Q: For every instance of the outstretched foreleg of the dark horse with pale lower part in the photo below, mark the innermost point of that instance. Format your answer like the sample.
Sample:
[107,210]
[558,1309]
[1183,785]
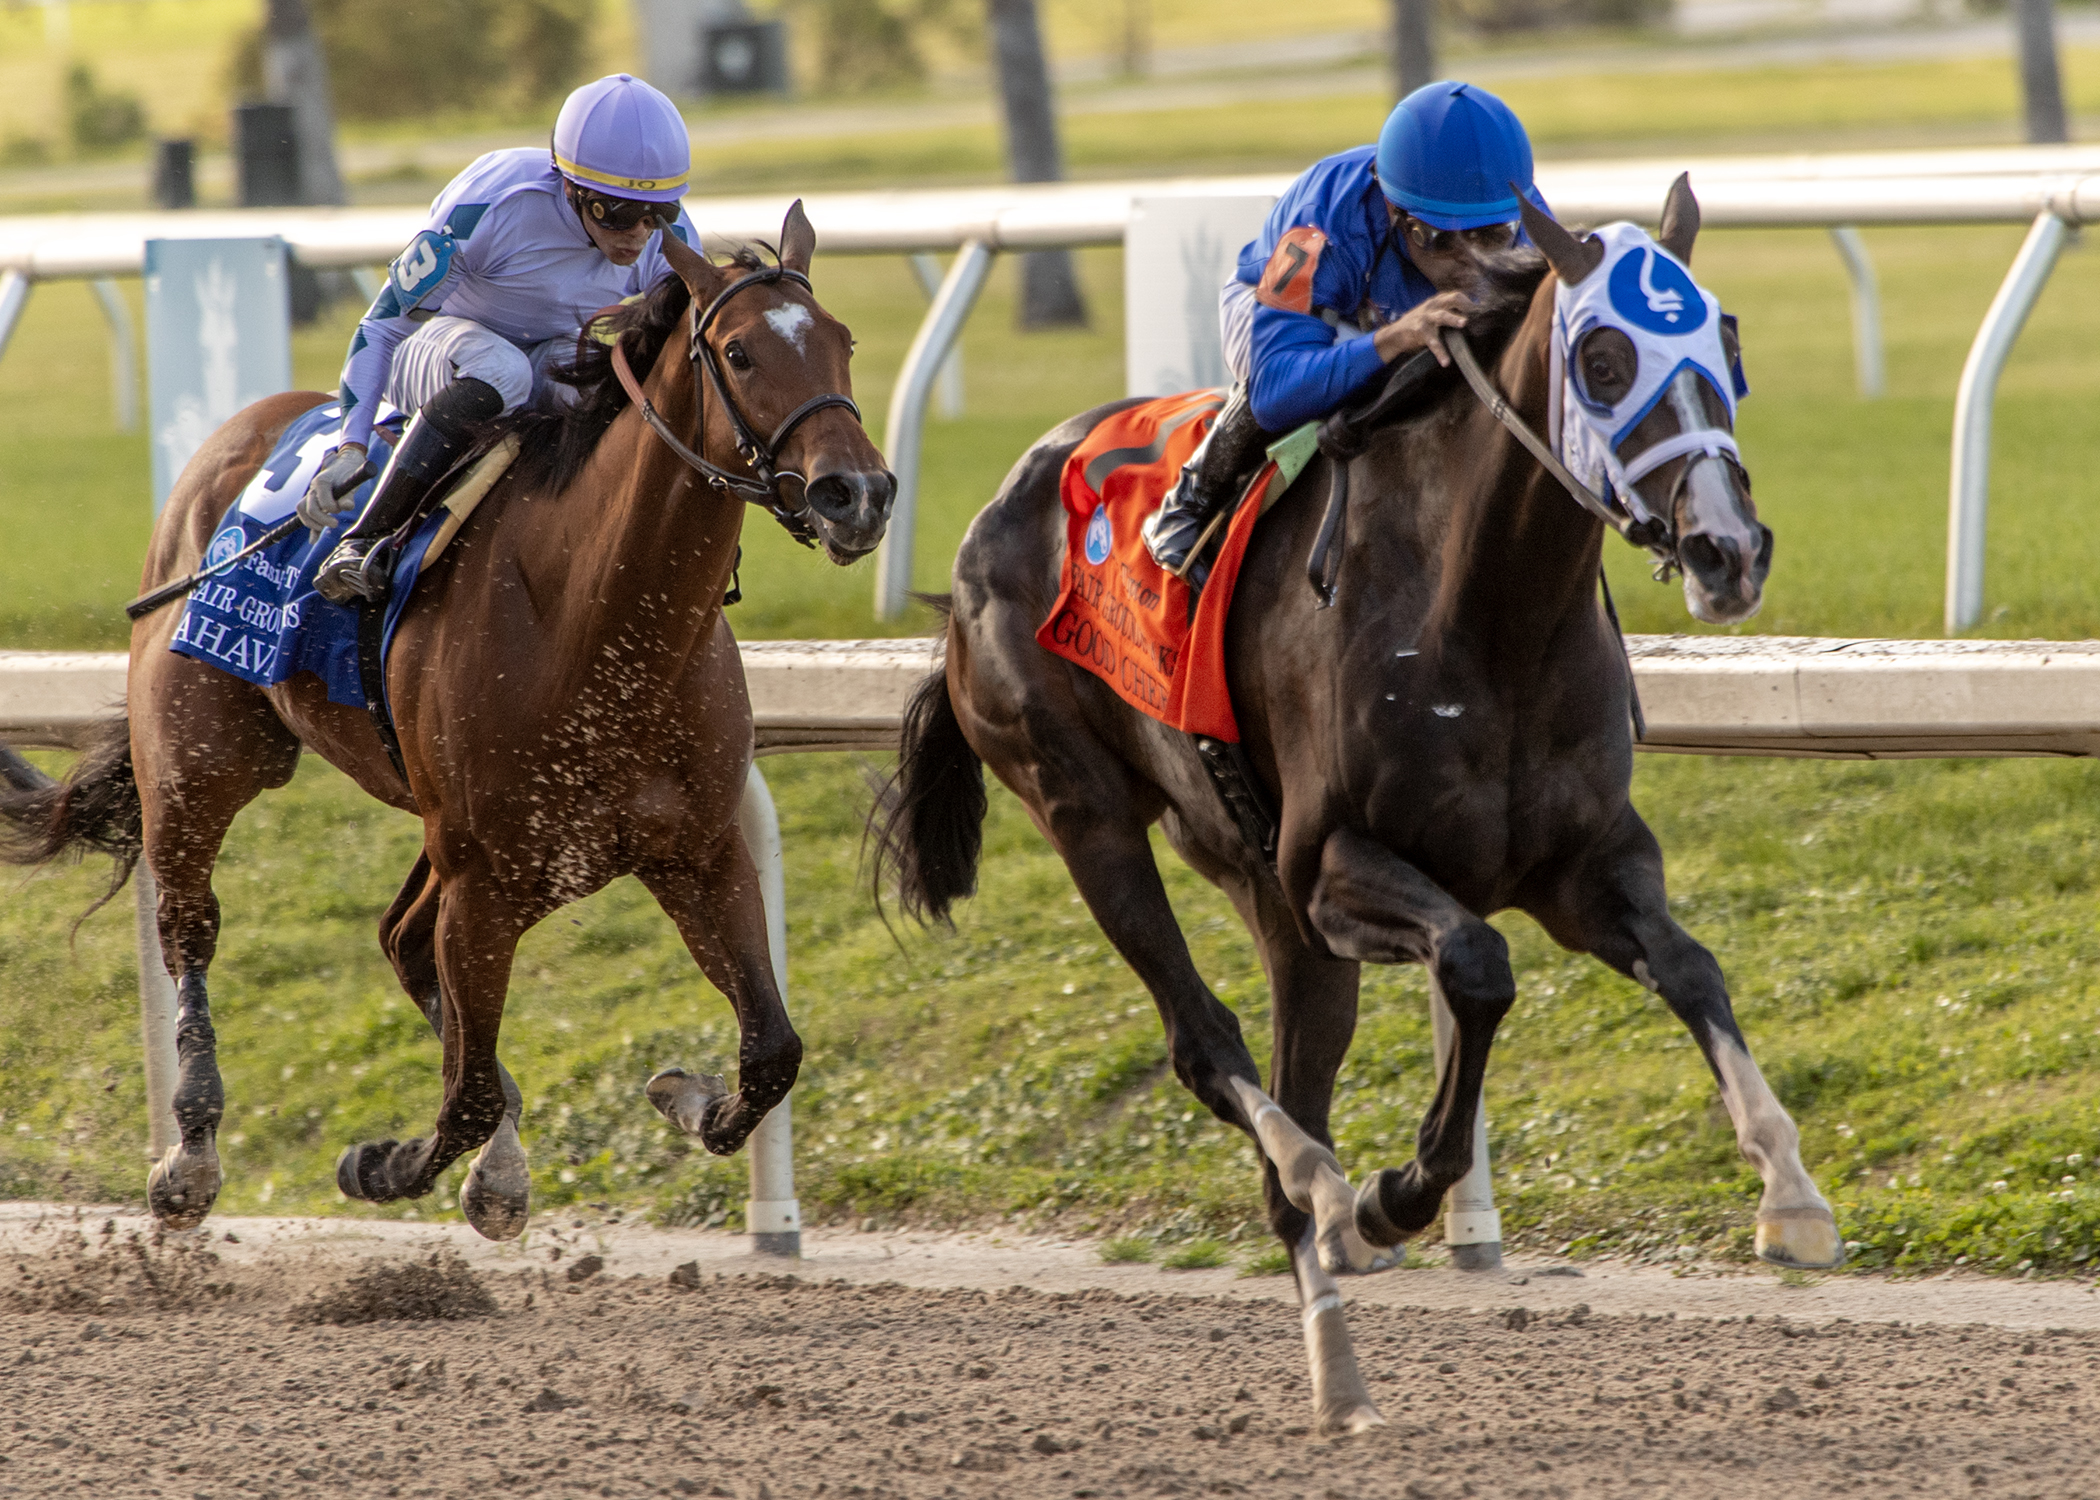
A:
[1614,904]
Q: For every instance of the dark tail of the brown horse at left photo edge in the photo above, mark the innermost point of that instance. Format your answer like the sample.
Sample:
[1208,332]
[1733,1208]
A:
[93,810]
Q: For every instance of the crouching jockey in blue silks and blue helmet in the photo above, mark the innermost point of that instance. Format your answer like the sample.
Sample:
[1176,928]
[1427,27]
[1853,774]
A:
[1362,262]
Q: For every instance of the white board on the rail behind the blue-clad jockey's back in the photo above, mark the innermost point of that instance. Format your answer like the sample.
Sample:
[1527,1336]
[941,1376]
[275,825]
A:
[1177,257]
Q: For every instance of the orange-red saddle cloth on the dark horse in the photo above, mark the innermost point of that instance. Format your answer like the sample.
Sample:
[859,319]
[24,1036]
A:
[1120,614]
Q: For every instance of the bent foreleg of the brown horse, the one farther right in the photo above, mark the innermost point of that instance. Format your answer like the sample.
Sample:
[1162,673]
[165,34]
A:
[723,921]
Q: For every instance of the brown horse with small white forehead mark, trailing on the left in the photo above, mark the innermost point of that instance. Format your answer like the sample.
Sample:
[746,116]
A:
[568,699]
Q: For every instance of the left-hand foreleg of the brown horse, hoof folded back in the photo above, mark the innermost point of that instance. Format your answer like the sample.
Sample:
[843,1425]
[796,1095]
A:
[476,942]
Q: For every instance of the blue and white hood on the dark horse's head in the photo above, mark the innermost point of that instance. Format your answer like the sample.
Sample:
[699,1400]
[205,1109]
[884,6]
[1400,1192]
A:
[1650,295]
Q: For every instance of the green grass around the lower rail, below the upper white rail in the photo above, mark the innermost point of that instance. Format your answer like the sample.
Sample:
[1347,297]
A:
[1910,944]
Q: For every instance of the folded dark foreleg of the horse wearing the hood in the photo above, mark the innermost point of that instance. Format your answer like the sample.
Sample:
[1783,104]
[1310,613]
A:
[1372,907]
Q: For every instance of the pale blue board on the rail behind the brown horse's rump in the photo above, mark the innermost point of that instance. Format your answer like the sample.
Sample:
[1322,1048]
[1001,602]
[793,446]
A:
[217,337]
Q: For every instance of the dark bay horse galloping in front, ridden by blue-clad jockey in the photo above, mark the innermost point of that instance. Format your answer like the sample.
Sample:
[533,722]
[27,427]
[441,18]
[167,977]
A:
[1452,738]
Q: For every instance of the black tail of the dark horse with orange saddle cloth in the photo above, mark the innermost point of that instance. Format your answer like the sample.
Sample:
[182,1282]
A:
[929,820]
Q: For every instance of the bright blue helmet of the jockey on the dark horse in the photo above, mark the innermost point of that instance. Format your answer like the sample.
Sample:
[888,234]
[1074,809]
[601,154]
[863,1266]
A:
[1450,152]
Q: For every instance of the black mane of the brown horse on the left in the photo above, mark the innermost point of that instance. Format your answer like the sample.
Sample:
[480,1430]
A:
[555,446]
